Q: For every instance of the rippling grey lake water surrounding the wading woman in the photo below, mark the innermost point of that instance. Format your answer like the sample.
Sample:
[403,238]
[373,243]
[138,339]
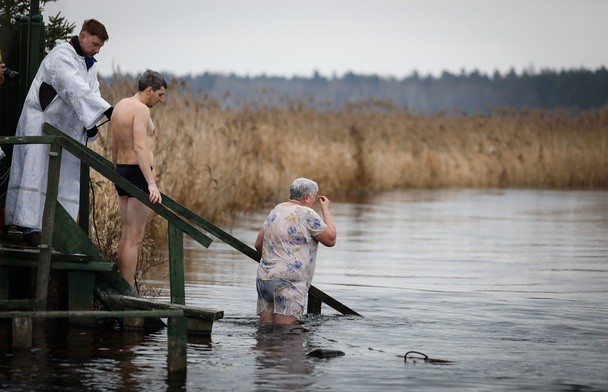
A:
[509,286]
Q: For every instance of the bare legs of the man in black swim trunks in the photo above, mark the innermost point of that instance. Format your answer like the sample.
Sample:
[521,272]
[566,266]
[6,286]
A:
[133,217]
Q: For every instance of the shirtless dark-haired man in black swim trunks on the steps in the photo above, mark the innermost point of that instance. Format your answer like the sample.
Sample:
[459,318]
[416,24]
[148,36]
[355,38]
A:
[132,132]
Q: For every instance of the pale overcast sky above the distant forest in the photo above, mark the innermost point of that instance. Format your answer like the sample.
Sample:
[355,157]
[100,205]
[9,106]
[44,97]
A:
[382,37]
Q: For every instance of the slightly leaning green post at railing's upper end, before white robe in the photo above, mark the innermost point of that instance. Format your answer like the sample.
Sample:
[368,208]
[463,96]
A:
[48,219]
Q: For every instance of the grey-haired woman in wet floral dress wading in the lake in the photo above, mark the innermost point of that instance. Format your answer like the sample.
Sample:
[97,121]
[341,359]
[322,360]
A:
[287,245]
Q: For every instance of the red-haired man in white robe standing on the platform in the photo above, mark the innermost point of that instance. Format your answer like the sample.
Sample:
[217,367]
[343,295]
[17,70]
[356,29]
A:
[64,93]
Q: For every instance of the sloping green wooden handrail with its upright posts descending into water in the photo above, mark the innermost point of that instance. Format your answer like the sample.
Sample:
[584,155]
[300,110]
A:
[180,220]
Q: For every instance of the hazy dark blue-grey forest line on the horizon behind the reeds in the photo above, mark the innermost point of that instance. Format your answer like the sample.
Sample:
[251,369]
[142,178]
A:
[572,90]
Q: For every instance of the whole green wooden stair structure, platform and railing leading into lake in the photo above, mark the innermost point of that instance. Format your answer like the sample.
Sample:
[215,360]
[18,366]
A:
[65,246]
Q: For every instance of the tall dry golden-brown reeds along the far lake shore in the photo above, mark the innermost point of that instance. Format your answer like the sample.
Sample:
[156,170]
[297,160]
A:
[217,161]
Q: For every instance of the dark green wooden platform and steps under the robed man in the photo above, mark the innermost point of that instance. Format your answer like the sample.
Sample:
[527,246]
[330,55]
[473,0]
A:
[86,276]
